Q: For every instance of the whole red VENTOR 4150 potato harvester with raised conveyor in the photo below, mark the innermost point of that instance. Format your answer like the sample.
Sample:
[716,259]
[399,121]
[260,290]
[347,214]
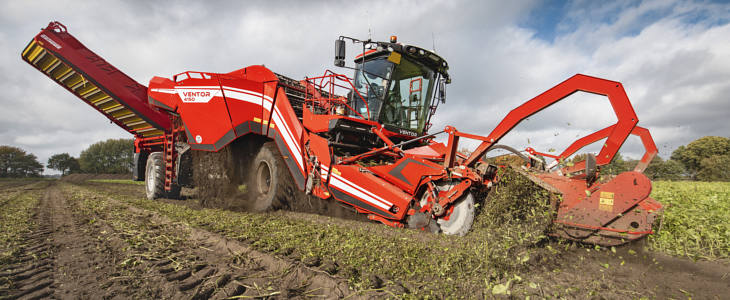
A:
[361,141]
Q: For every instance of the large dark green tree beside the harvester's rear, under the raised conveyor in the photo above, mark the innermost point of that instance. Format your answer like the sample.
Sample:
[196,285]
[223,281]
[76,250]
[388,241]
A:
[113,156]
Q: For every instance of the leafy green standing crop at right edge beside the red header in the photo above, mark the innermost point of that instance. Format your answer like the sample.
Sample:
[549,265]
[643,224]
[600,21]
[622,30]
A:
[695,221]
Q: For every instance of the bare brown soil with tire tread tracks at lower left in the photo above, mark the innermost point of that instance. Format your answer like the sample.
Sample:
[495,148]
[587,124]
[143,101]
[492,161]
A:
[85,246]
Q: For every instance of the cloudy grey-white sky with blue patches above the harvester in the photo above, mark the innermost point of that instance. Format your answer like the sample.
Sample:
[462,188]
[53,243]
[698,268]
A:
[673,58]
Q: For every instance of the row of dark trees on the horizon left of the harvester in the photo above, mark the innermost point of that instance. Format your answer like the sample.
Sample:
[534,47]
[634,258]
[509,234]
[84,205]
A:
[113,156]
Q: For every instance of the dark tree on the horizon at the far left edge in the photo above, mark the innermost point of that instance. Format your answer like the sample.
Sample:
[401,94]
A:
[15,162]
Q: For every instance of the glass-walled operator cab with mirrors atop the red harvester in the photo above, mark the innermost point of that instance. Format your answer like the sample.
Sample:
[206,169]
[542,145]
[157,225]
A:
[396,85]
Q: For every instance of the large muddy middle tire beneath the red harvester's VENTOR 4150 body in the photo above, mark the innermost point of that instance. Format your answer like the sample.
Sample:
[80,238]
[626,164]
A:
[270,185]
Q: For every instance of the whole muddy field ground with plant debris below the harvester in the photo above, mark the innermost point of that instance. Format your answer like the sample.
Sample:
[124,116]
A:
[80,239]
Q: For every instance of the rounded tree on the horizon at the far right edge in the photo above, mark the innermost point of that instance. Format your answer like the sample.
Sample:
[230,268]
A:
[692,155]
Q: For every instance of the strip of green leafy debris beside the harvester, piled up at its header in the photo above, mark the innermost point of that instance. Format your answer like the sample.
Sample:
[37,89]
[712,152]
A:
[501,243]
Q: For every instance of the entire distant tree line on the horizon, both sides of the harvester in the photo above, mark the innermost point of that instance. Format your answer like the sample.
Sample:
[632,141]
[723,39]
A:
[705,159]
